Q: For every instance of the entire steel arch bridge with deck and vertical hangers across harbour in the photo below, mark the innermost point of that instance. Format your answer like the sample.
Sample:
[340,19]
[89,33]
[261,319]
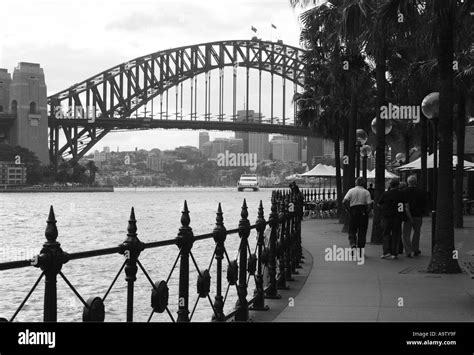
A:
[197,87]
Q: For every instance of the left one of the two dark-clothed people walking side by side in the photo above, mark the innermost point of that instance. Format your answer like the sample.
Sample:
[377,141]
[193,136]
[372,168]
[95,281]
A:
[394,210]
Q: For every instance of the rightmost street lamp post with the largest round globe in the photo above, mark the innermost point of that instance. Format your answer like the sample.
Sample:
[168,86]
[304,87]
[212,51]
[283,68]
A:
[430,108]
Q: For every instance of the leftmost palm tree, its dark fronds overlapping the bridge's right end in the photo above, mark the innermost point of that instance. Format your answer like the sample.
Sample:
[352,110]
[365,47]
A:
[320,105]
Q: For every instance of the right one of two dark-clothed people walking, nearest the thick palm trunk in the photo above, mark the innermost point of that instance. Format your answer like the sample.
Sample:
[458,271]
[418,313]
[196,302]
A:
[417,199]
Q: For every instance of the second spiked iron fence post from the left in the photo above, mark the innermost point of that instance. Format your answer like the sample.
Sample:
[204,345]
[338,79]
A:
[131,249]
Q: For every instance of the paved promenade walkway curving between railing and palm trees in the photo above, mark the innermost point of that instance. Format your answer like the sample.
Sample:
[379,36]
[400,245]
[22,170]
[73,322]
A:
[379,290]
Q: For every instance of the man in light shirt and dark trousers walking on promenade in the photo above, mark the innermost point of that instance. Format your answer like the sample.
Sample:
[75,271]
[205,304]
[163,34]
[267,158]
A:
[358,204]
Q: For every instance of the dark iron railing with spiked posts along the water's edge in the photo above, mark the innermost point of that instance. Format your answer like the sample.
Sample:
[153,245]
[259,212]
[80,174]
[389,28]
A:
[279,252]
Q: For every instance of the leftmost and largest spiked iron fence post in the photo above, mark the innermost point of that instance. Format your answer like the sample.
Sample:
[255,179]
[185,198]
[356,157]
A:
[51,259]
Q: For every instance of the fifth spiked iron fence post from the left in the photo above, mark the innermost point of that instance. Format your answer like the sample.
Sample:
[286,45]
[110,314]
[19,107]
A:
[242,314]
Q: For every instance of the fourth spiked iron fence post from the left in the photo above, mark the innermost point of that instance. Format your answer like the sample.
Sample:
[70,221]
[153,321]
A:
[219,237]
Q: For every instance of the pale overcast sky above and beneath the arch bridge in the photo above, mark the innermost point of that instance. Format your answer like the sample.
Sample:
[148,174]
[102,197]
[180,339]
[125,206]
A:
[74,40]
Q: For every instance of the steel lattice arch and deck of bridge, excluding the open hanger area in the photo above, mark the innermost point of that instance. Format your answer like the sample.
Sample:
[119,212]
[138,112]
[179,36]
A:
[118,92]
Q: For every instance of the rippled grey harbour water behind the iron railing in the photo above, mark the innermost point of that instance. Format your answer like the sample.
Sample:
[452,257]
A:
[88,221]
